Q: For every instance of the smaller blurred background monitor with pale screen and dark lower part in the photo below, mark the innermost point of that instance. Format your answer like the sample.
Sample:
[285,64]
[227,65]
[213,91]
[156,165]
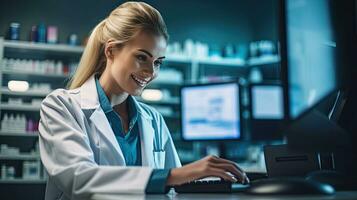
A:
[267,111]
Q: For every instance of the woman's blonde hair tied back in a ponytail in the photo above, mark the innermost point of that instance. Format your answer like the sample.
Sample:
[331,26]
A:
[121,25]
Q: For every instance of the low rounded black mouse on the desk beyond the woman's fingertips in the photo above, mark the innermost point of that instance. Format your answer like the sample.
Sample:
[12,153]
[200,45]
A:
[288,186]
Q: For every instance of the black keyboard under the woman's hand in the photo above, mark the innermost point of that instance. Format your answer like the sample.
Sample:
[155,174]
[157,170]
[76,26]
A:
[206,185]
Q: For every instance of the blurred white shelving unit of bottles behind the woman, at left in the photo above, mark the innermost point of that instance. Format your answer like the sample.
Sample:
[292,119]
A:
[25,141]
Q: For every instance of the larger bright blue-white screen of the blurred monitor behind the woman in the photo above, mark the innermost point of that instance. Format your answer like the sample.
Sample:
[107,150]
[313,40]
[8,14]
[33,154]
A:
[210,112]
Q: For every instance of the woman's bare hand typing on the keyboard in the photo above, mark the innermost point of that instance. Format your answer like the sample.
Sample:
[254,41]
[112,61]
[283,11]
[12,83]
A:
[208,166]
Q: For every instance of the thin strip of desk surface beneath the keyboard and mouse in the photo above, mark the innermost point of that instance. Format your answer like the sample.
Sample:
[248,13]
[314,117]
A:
[238,196]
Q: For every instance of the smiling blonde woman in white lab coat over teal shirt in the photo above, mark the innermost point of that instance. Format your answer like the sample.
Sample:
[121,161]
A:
[95,137]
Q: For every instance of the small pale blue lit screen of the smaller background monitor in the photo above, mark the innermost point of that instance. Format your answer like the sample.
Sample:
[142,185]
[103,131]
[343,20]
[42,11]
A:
[267,102]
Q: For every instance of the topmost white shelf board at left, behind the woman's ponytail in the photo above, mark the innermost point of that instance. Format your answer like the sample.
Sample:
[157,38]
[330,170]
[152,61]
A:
[43,46]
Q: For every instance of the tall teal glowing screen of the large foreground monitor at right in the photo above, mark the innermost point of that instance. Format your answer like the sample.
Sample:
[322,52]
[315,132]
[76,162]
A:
[311,55]
